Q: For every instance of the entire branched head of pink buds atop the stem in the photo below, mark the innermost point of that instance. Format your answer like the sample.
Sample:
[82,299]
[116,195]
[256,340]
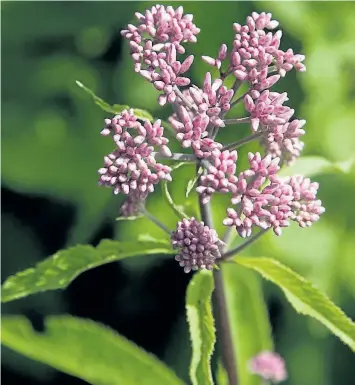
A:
[255,62]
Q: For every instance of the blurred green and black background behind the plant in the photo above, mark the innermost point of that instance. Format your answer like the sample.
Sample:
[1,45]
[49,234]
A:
[51,150]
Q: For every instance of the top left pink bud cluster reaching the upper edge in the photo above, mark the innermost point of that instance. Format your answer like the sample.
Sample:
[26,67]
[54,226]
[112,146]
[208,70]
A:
[155,55]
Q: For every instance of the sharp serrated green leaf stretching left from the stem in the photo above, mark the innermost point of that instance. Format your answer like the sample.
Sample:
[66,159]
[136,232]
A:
[57,271]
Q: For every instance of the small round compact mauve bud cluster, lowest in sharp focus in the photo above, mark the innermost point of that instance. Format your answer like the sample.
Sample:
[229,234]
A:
[199,246]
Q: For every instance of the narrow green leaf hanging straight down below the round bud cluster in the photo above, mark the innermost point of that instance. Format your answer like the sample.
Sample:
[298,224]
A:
[201,325]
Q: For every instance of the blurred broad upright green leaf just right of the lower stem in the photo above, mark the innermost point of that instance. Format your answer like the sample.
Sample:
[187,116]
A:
[248,318]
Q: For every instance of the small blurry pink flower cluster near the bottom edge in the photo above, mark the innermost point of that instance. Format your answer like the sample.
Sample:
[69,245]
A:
[270,366]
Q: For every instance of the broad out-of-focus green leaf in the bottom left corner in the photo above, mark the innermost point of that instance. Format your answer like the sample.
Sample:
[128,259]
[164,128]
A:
[87,350]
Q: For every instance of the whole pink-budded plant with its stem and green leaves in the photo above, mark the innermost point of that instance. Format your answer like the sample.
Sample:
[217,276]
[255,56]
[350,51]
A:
[260,199]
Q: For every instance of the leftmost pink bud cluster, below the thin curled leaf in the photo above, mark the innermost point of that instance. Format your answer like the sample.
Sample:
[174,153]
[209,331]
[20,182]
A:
[131,168]
